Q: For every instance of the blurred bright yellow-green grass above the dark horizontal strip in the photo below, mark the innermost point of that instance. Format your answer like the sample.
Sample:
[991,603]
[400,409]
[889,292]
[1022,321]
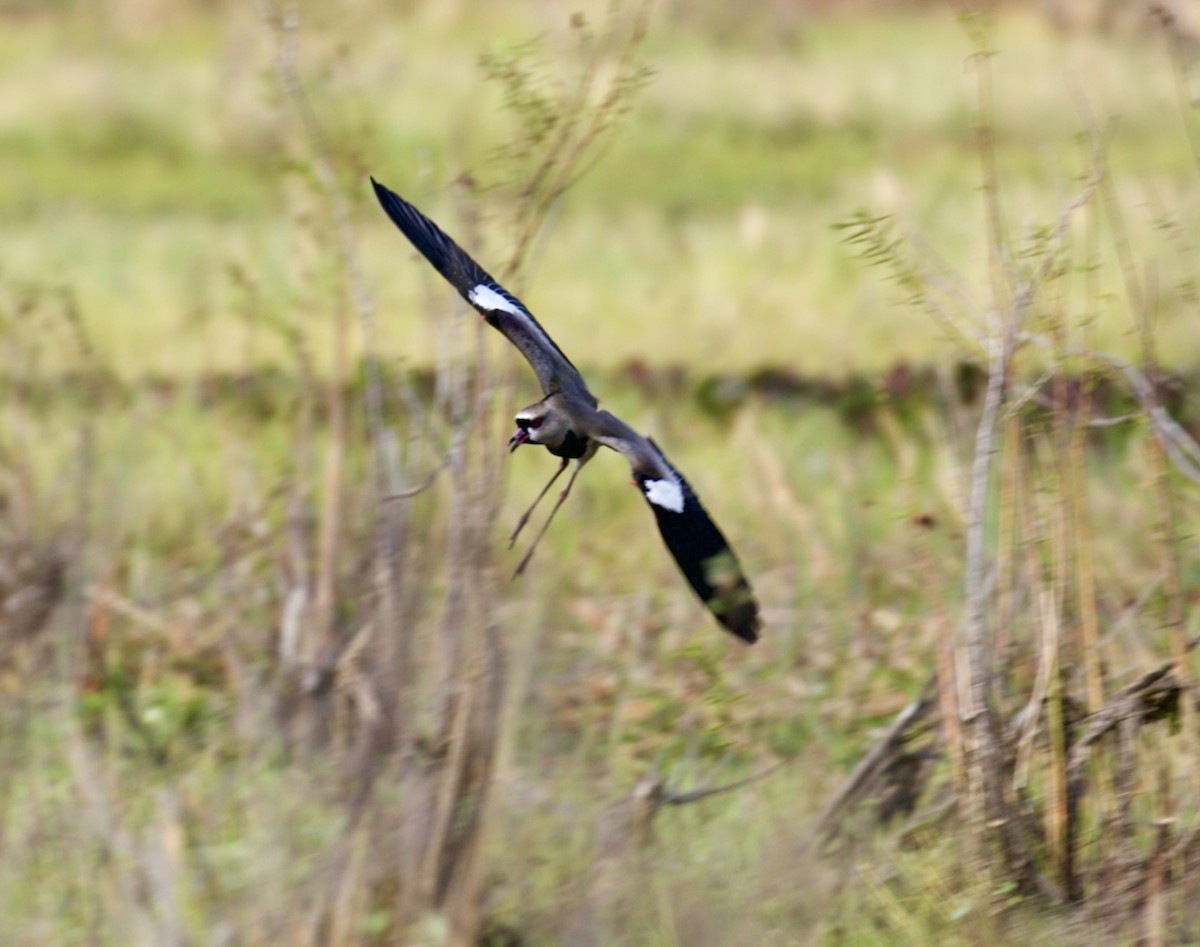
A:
[152,160]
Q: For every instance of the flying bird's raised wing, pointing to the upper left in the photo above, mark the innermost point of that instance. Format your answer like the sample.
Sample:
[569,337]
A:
[494,302]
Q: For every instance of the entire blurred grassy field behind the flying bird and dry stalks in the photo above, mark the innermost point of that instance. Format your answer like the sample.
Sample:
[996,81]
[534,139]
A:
[171,292]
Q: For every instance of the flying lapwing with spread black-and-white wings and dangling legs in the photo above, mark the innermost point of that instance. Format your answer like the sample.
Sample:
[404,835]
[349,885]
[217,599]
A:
[572,427]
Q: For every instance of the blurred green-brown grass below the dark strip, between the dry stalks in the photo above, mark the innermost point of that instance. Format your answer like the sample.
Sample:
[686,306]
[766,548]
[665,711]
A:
[619,657]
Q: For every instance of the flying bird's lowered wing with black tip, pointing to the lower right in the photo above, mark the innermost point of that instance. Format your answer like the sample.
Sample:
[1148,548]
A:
[700,549]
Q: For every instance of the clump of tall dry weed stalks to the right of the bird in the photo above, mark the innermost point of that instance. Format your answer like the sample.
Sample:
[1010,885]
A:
[1064,780]
